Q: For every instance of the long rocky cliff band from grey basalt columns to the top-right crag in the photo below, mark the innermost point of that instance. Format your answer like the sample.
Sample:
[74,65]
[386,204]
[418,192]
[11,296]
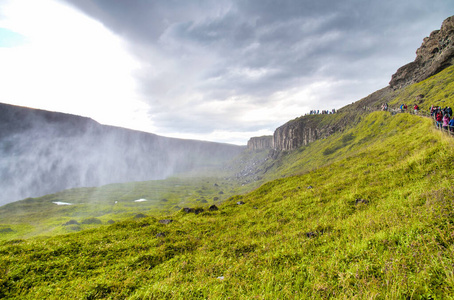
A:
[435,54]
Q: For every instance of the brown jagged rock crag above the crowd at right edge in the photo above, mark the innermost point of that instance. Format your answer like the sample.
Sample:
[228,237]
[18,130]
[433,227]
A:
[435,54]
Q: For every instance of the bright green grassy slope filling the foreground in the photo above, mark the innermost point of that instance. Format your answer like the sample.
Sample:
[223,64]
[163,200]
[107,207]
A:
[372,220]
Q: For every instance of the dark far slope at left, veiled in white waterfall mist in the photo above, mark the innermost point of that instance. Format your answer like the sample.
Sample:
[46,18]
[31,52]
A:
[44,152]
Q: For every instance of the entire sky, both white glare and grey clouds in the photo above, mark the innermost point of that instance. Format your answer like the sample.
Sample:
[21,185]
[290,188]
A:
[220,70]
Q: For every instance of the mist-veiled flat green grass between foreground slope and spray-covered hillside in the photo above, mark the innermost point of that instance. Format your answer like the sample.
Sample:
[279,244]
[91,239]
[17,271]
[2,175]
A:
[115,202]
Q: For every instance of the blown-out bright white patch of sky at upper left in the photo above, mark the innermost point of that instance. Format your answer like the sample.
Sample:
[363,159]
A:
[55,58]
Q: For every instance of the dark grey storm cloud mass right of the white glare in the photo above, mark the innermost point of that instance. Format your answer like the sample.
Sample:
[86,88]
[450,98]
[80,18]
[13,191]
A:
[207,64]
